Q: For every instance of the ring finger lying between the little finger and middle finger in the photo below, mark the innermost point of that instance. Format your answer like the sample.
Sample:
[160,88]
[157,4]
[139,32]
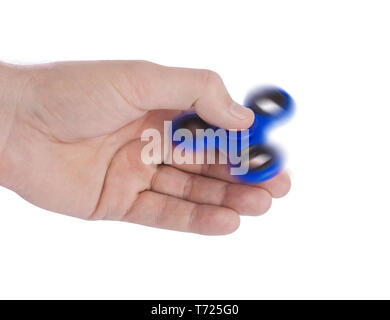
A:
[244,199]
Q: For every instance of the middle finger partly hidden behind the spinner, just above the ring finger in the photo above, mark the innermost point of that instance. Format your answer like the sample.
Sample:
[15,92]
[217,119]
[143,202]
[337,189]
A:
[278,186]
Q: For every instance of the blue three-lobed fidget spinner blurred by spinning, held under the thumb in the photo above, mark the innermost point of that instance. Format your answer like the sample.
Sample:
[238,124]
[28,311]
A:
[270,105]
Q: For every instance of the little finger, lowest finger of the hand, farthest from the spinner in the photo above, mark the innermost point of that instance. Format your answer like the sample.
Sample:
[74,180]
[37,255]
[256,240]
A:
[163,211]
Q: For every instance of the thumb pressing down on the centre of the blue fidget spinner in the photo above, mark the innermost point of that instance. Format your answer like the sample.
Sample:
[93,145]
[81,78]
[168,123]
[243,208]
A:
[160,87]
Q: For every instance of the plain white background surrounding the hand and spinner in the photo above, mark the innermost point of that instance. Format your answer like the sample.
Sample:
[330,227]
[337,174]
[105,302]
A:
[329,238]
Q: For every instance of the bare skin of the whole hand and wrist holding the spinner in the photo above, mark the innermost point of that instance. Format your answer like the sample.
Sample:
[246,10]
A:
[70,143]
